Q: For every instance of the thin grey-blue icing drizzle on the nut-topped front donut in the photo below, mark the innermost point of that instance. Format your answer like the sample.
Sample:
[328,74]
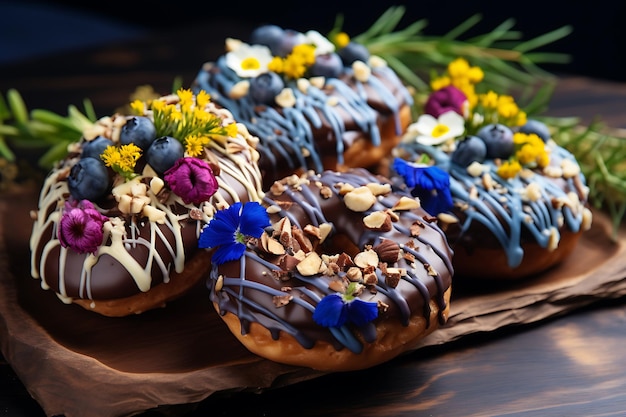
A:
[307,291]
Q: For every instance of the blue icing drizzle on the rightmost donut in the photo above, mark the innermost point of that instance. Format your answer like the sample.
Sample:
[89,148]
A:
[502,209]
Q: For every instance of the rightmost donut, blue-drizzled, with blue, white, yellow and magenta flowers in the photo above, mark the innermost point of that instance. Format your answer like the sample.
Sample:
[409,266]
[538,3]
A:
[512,202]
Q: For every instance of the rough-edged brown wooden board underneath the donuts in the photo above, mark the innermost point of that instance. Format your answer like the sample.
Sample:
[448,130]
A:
[77,363]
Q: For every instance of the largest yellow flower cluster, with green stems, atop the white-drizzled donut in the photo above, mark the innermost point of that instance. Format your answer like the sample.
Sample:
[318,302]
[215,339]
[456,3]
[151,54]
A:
[188,120]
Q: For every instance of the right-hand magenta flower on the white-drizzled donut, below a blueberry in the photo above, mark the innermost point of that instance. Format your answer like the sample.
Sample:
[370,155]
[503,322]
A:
[192,179]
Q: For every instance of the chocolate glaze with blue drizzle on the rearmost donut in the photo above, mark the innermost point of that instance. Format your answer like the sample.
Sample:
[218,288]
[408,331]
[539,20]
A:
[313,134]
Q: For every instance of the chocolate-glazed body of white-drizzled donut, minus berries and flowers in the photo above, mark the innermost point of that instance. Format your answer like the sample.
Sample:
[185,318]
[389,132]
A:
[147,255]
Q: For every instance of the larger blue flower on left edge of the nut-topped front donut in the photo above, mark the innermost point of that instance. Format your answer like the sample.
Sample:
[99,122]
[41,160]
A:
[231,227]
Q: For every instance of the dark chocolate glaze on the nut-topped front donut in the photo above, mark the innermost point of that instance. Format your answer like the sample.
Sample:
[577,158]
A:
[248,287]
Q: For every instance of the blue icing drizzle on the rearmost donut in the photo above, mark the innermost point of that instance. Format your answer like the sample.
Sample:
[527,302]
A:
[283,135]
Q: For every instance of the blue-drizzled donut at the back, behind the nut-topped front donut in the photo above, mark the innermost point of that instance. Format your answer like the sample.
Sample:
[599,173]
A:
[313,105]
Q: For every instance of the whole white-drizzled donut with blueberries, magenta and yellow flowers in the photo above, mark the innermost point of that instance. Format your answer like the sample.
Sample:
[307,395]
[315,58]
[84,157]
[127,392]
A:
[117,222]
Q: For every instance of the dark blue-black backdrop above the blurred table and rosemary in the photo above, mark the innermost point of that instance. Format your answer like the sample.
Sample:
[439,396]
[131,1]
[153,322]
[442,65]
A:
[597,44]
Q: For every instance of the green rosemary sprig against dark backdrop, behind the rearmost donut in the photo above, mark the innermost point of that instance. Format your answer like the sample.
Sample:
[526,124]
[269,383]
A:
[508,61]
